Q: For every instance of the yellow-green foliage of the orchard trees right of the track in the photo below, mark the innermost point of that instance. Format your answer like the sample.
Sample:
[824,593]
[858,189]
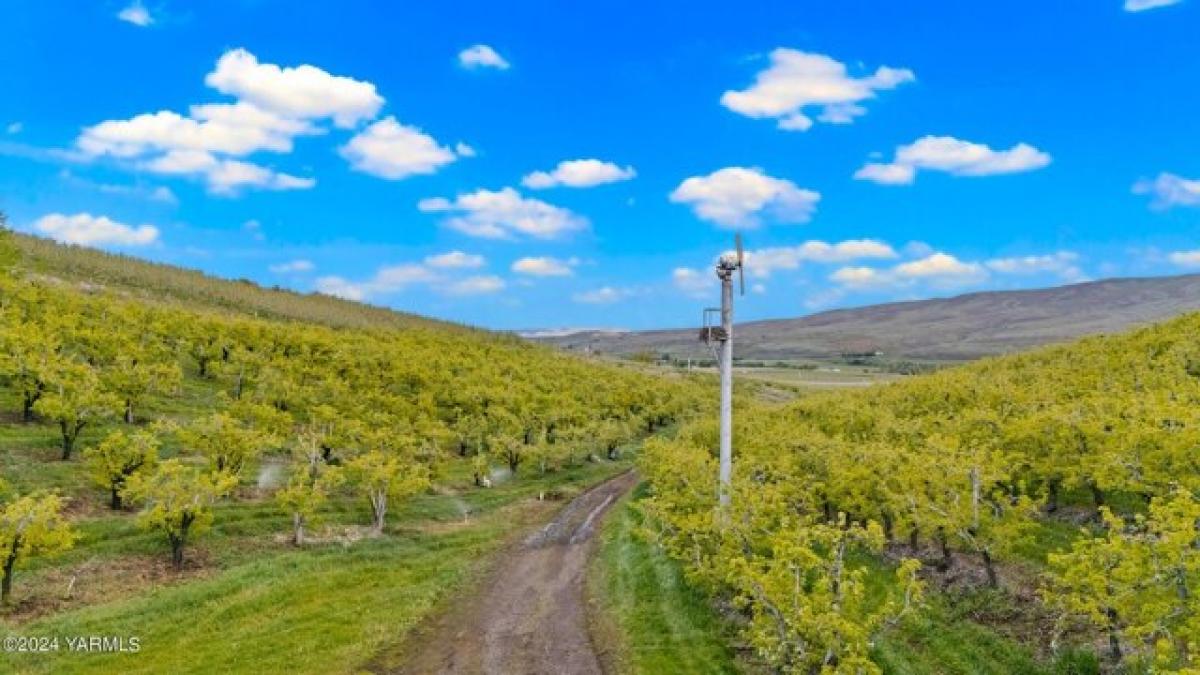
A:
[969,461]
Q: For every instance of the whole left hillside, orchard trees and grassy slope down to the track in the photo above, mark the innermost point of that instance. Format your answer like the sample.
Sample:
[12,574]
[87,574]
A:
[189,464]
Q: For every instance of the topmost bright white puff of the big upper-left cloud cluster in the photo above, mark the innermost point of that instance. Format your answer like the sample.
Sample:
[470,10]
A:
[301,93]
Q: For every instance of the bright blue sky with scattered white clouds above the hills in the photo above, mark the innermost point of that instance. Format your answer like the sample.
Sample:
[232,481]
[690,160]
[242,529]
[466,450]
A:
[550,165]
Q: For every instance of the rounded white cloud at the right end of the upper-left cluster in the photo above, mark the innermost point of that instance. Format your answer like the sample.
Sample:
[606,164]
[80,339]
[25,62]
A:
[392,151]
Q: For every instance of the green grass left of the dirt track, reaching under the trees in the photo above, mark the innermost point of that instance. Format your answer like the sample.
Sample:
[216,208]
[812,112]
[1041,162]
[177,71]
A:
[259,605]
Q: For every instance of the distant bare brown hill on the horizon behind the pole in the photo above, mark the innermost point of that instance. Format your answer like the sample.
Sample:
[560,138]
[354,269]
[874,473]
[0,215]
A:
[964,327]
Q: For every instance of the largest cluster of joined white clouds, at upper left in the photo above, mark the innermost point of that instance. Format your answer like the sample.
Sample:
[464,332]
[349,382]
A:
[274,106]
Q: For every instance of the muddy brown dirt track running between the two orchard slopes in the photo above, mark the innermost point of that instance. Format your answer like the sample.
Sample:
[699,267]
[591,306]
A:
[530,617]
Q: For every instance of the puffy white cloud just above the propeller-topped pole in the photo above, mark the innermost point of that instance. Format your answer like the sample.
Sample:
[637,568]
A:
[739,196]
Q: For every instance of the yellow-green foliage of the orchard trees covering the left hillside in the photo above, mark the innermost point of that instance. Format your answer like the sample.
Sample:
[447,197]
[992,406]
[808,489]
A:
[387,399]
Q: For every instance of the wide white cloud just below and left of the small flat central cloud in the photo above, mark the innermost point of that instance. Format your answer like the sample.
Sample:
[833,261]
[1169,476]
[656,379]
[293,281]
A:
[503,214]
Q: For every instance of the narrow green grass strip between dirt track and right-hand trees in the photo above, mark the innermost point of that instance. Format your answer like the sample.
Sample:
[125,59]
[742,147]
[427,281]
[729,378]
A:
[657,623]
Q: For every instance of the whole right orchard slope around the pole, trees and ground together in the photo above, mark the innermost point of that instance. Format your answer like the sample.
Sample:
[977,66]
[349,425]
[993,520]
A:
[1027,513]
